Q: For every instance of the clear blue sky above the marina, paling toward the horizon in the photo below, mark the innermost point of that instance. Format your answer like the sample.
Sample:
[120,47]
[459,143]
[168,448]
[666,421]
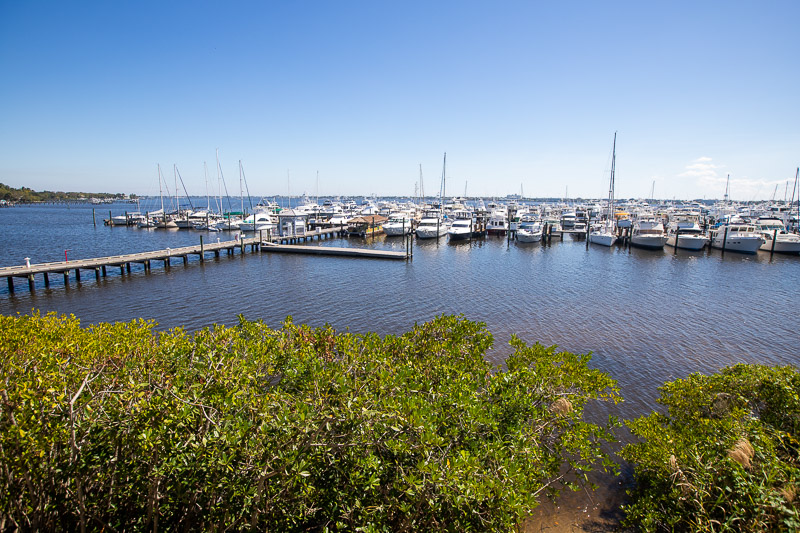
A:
[521,95]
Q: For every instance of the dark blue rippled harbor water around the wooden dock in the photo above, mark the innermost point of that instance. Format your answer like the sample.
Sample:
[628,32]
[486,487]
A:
[647,316]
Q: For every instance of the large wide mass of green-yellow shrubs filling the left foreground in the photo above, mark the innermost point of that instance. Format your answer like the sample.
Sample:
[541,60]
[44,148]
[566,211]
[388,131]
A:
[122,427]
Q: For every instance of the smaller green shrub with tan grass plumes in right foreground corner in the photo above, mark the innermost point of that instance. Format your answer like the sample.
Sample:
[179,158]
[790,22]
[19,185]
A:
[724,457]
